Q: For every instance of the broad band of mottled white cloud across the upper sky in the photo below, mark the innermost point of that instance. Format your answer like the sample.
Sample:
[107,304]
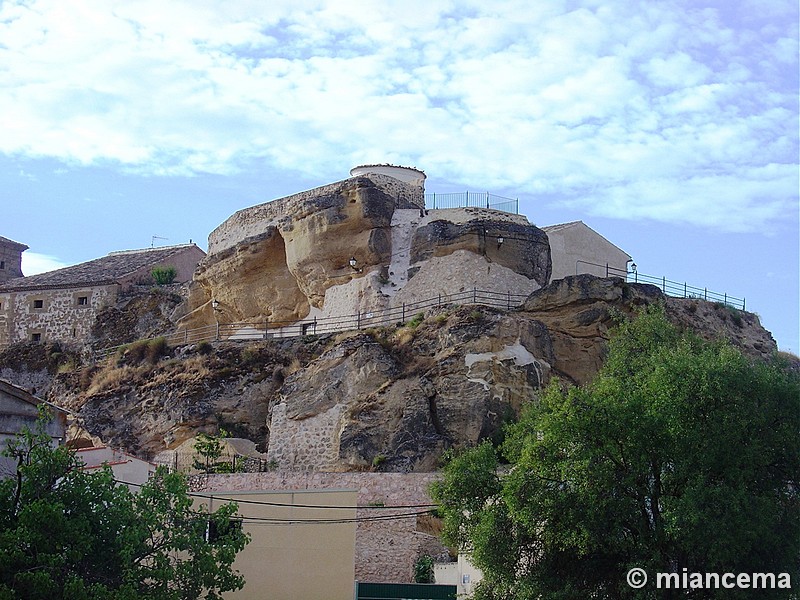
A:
[675,110]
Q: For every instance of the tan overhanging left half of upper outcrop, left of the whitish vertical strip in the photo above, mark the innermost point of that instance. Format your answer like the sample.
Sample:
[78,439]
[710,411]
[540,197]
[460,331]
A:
[291,257]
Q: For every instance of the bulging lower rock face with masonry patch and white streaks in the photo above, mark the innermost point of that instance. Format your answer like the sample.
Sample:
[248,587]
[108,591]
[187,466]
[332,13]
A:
[398,404]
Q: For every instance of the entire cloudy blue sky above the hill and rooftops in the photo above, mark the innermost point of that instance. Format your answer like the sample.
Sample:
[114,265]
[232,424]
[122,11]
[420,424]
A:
[671,127]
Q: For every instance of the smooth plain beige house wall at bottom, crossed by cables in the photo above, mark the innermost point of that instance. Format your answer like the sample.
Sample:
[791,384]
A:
[295,551]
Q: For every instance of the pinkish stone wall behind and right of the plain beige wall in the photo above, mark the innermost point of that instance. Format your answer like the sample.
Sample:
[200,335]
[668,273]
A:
[386,550]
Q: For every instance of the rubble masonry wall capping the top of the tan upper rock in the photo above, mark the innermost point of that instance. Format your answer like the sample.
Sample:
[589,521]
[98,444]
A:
[256,220]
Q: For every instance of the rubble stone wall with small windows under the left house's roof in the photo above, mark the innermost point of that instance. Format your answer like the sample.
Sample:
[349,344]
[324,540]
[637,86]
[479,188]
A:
[56,314]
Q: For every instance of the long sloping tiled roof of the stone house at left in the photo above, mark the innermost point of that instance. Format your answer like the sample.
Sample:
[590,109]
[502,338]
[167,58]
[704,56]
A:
[99,271]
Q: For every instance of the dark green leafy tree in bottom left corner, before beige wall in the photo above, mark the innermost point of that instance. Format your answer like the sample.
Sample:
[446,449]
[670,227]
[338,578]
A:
[69,533]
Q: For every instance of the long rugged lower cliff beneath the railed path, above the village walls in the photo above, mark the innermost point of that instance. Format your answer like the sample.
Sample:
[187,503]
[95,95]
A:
[382,399]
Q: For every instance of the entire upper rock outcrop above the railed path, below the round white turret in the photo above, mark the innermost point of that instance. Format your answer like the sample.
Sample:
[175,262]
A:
[290,259]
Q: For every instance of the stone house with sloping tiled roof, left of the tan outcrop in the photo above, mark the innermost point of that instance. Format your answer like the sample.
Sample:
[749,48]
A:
[62,305]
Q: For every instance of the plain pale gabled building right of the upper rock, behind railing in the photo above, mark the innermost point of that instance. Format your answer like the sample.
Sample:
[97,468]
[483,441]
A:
[576,248]
